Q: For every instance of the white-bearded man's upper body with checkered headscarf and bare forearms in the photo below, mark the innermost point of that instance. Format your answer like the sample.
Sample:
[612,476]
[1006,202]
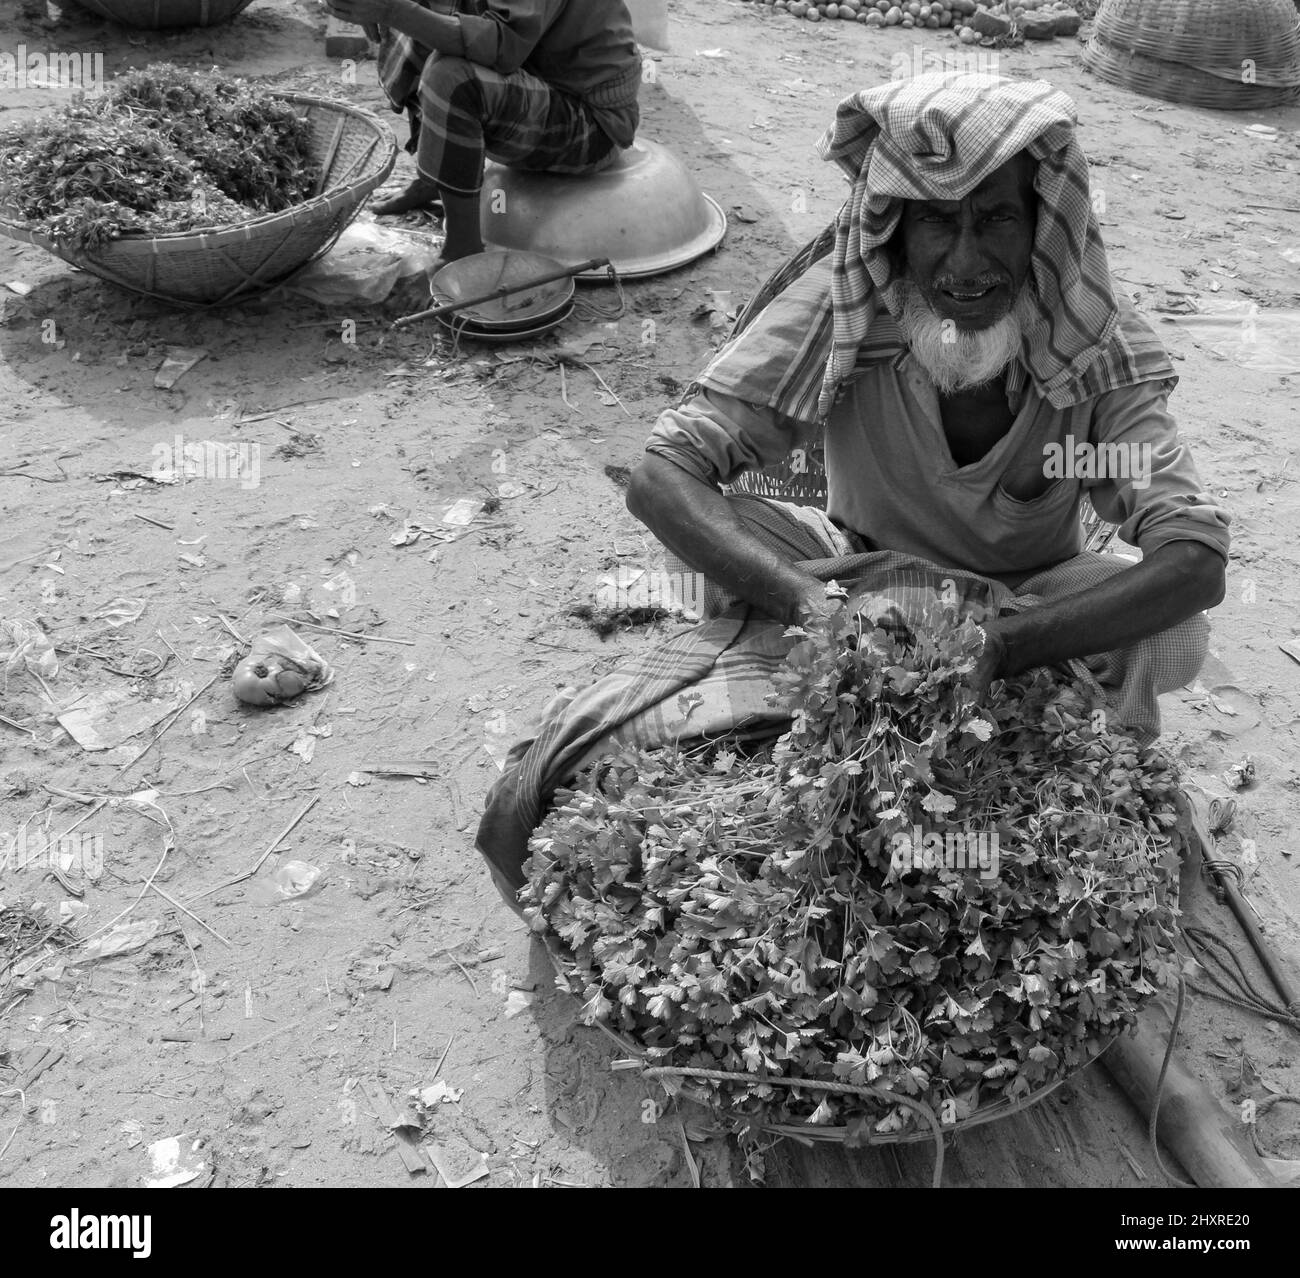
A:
[974,379]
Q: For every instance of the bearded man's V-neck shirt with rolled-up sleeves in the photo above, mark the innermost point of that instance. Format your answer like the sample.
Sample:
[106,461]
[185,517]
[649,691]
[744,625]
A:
[892,480]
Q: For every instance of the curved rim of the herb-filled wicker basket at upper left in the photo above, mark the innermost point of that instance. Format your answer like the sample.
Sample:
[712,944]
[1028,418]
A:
[138,245]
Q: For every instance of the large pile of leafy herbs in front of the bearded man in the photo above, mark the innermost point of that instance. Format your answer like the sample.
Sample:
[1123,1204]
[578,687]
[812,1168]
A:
[752,913]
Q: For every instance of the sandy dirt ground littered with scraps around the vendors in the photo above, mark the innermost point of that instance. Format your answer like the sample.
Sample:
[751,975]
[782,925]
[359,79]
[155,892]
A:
[404,968]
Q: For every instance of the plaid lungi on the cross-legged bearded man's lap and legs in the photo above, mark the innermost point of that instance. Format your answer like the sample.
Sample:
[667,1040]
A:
[714,679]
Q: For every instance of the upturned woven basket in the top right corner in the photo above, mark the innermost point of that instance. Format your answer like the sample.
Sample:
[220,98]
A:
[1207,33]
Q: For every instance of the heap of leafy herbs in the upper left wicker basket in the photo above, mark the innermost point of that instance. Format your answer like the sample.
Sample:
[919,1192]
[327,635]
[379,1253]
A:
[163,150]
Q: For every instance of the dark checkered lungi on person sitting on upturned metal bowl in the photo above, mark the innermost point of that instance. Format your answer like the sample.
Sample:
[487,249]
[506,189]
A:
[467,112]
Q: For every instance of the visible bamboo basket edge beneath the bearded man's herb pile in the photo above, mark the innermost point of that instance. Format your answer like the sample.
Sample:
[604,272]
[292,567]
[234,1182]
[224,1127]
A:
[686,1082]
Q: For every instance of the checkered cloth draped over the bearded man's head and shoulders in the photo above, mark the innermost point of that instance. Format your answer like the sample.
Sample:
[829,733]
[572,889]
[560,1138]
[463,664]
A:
[937,137]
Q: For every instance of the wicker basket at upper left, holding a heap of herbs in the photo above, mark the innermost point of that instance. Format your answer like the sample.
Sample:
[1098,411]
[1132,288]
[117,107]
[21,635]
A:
[202,270]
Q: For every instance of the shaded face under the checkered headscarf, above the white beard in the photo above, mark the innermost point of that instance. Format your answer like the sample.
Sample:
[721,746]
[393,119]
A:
[970,258]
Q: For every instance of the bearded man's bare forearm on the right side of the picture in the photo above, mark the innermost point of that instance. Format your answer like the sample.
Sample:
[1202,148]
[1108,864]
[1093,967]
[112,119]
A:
[1172,584]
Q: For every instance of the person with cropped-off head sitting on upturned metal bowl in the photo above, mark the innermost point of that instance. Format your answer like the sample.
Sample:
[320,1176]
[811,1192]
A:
[545,85]
